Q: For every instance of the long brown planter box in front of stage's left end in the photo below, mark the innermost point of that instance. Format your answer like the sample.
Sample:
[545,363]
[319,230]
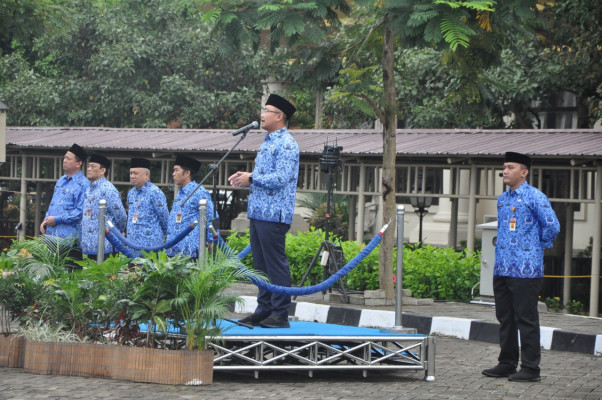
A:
[171,367]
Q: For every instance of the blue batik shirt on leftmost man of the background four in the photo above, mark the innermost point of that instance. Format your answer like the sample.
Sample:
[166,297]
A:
[66,205]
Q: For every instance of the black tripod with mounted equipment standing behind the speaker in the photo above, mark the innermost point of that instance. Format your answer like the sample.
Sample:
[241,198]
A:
[331,256]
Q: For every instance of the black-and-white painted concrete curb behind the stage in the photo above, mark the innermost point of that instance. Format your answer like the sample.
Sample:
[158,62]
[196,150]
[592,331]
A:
[462,328]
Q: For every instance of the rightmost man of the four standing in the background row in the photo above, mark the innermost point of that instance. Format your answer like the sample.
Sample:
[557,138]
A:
[184,175]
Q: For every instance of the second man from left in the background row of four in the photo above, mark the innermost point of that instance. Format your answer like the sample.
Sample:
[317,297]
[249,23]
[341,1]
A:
[100,189]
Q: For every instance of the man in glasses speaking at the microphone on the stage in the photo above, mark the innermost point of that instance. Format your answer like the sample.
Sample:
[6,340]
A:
[271,205]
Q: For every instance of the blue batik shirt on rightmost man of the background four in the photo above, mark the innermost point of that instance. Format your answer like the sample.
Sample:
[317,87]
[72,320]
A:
[181,217]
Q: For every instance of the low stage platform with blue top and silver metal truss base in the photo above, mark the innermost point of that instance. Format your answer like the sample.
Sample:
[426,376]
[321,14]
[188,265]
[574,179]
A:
[310,346]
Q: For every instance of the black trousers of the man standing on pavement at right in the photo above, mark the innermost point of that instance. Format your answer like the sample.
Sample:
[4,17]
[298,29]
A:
[516,310]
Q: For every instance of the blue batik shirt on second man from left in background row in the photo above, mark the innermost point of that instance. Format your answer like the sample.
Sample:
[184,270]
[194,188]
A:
[99,190]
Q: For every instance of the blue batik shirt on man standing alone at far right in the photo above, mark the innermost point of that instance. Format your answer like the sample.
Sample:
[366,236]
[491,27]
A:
[526,225]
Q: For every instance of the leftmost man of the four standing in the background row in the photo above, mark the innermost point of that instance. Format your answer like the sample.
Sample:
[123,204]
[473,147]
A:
[64,215]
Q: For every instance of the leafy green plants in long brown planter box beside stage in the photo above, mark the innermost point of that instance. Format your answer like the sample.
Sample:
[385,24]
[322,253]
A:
[88,322]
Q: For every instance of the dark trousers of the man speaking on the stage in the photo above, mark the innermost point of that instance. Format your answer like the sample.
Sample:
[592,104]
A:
[268,241]
